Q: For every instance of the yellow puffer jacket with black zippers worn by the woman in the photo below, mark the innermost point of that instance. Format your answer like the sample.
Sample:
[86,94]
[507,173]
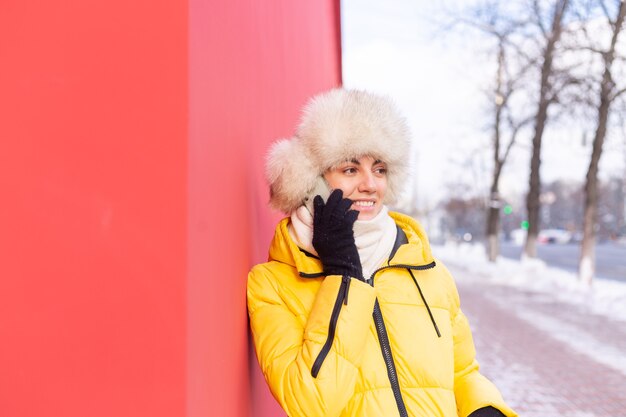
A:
[341,347]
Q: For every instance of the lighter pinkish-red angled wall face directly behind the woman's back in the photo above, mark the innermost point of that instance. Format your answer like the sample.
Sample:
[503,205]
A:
[252,66]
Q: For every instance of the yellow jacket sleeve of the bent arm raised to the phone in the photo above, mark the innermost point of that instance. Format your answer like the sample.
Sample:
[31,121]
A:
[288,346]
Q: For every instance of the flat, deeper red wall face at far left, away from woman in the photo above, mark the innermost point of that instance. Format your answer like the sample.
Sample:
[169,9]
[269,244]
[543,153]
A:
[93,216]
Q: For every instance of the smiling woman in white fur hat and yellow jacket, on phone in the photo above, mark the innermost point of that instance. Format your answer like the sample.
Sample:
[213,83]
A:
[352,315]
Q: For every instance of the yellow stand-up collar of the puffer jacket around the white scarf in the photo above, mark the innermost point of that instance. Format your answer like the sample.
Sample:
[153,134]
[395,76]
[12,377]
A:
[411,247]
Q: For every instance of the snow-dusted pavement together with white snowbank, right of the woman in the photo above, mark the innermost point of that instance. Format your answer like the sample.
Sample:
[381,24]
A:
[552,345]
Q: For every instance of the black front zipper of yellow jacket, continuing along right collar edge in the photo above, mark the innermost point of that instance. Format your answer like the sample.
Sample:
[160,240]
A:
[383,339]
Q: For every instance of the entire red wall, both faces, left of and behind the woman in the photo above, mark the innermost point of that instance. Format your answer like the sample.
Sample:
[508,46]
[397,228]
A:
[132,136]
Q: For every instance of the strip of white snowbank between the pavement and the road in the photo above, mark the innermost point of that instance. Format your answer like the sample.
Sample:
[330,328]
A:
[604,297]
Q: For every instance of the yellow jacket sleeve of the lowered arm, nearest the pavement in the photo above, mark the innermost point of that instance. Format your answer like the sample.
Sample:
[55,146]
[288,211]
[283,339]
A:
[472,390]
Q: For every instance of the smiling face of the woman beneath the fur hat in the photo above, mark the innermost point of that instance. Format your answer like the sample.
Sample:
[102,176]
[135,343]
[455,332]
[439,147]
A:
[364,181]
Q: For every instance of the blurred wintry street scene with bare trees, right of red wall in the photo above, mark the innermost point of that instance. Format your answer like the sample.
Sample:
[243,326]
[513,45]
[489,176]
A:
[518,112]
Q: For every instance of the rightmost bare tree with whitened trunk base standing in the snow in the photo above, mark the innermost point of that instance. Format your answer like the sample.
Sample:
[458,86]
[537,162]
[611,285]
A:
[608,93]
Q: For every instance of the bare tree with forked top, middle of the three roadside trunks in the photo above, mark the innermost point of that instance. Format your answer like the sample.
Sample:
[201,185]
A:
[547,96]
